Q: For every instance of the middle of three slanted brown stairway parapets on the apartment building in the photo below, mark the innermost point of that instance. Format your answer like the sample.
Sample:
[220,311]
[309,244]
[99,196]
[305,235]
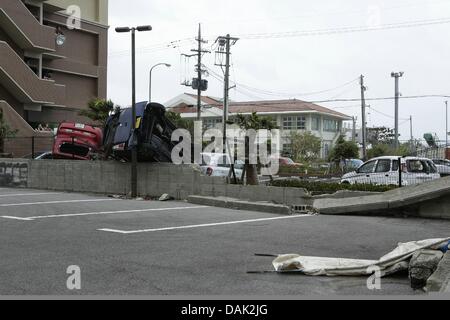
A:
[24,84]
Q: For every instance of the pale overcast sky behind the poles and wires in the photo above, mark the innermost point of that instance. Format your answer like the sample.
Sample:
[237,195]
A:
[288,67]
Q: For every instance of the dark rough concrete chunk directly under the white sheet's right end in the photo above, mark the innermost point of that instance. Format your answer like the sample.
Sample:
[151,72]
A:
[422,265]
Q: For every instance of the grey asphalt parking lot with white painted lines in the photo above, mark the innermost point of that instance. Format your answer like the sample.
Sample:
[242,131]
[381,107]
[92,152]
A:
[126,247]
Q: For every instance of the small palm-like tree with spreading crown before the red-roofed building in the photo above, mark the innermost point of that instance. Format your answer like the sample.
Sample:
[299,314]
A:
[253,122]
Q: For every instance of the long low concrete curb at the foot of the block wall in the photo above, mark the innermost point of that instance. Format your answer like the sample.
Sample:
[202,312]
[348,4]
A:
[231,203]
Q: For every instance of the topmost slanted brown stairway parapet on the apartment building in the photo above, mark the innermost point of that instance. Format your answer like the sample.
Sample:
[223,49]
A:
[20,24]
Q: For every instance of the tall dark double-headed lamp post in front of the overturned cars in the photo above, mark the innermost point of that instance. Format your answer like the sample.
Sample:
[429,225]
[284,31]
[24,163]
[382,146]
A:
[133,101]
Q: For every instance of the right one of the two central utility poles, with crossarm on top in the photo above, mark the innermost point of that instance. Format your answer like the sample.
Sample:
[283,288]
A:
[225,44]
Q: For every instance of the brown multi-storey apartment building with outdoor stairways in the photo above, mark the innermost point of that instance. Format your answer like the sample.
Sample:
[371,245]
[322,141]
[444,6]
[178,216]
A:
[53,59]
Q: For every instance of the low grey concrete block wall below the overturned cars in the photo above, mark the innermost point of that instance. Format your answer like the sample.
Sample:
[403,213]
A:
[110,177]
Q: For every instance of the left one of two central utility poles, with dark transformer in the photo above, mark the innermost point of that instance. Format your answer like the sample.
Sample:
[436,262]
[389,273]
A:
[198,83]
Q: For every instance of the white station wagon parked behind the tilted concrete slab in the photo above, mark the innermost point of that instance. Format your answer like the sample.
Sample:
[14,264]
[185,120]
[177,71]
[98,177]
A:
[385,171]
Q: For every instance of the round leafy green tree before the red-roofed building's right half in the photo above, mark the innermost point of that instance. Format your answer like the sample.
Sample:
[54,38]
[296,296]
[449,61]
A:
[305,146]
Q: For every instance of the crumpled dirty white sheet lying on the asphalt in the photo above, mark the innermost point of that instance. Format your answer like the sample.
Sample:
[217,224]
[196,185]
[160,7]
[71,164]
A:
[395,261]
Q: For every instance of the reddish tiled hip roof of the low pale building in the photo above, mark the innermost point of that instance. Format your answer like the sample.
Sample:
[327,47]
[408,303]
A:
[261,107]
